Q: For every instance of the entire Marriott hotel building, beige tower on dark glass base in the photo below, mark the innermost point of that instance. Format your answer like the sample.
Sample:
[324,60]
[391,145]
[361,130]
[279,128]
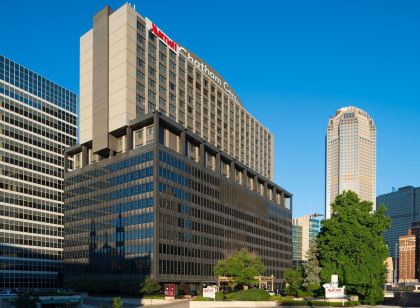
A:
[171,173]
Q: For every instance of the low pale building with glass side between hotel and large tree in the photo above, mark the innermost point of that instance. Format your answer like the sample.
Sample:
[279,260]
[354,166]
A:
[306,229]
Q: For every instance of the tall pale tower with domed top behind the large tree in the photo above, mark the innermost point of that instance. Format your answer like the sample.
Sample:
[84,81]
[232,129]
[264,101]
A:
[350,156]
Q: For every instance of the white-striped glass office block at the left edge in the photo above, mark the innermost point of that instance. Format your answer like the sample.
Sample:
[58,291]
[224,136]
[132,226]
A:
[38,120]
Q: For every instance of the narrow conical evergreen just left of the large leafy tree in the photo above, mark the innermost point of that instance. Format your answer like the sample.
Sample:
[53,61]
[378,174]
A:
[311,269]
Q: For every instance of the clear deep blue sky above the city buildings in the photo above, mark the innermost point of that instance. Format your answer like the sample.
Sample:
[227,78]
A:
[292,63]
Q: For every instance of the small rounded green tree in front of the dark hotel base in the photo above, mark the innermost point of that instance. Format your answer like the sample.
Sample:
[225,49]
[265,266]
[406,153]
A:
[242,267]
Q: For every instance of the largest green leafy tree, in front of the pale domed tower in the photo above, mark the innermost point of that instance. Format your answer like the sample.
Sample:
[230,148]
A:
[351,245]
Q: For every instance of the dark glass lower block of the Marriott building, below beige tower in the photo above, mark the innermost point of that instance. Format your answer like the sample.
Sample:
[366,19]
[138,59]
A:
[170,207]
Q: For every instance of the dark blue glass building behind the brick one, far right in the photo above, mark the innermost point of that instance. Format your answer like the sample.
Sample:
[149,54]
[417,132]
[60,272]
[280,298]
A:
[403,207]
